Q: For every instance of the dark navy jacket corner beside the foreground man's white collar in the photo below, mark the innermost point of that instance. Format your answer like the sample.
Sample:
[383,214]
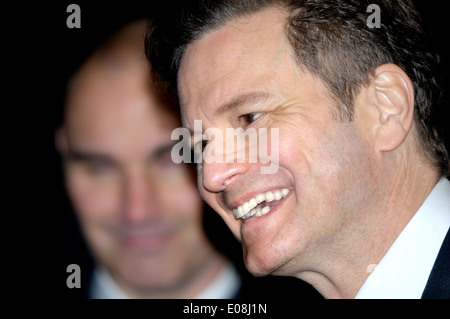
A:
[438,285]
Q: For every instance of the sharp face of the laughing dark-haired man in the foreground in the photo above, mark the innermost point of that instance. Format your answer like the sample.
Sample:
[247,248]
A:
[324,172]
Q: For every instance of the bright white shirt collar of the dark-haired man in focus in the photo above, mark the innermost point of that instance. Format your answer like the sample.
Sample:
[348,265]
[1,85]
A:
[404,270]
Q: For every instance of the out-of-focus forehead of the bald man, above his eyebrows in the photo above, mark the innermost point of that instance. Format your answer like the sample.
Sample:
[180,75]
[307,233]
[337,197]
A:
[107,104]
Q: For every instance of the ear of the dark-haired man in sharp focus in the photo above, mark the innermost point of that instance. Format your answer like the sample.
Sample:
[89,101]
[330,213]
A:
[393,99]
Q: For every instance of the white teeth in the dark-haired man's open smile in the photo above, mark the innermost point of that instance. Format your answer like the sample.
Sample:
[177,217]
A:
[248,209]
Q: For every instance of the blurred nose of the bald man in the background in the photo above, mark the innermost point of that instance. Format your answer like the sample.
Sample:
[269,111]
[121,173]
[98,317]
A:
[140,199]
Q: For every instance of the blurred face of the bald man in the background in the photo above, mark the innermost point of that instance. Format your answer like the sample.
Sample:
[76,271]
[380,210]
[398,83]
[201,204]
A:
[140,212]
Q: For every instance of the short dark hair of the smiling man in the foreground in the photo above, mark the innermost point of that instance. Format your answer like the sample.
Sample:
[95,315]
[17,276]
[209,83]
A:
[332,40]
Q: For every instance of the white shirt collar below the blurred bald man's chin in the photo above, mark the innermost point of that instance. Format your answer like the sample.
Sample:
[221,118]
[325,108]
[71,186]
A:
[224,286]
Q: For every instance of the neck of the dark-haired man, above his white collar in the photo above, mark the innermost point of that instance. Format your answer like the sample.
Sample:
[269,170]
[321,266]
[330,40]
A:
[357,250]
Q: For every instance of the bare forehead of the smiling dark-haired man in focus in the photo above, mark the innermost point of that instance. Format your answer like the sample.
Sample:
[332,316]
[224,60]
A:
[211,64]
